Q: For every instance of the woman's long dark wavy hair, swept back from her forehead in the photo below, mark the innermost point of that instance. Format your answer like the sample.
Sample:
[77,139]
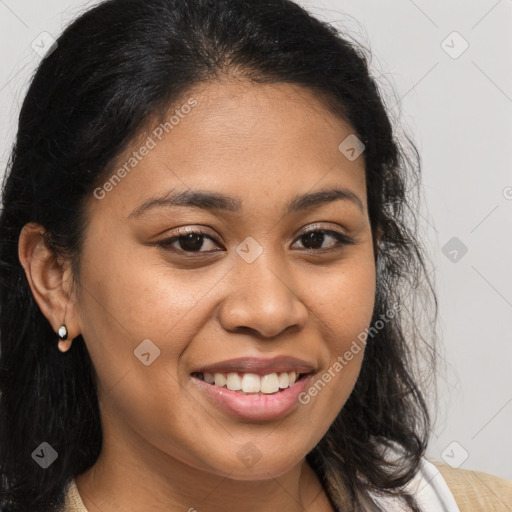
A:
[114,67]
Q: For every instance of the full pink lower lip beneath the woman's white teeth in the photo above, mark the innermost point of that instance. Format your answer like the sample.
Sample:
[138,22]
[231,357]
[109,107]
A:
[255,407]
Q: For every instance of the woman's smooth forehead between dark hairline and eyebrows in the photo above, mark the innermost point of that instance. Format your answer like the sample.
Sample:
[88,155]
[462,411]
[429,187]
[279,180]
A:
[243,139]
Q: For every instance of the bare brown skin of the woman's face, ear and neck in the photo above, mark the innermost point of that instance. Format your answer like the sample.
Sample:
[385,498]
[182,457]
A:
[164,442]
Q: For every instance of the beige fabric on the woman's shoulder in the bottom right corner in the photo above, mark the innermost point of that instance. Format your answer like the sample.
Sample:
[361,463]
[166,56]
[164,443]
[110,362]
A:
[475,491]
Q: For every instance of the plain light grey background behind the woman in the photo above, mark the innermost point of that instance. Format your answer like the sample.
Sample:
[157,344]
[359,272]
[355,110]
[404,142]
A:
[458,107]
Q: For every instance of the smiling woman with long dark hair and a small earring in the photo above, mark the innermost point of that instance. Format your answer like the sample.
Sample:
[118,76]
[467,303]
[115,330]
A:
[206,254]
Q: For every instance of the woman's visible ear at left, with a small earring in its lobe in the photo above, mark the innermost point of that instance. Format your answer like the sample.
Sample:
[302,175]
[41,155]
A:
[50,280]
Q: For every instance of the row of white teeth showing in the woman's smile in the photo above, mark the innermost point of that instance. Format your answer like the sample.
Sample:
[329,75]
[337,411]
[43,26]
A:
[251,383]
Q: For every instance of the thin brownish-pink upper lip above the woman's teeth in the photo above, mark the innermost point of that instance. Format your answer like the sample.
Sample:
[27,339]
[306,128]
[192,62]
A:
[259,365]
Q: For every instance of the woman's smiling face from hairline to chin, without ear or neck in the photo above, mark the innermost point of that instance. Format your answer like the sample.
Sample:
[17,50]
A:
[251,285]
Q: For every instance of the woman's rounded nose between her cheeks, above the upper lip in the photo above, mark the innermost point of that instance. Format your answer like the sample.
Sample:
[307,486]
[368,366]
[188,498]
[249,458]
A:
[263,299]
